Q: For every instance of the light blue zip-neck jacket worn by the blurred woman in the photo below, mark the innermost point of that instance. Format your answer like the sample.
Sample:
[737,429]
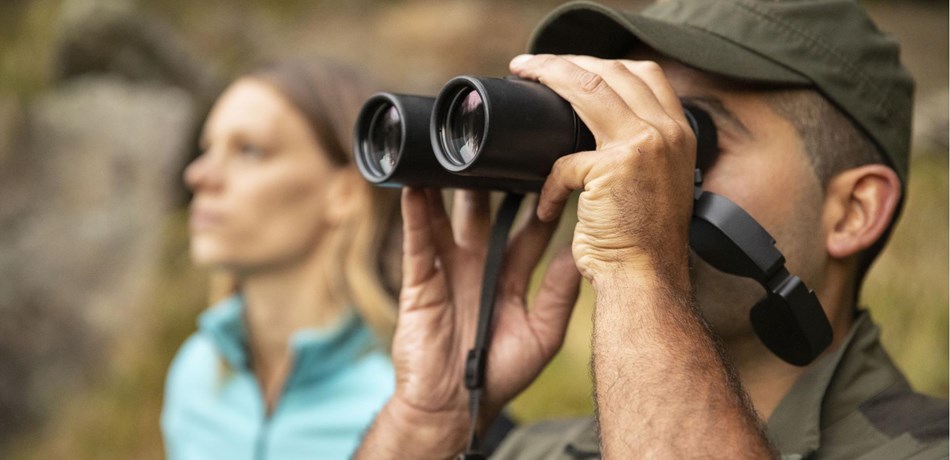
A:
[214,407]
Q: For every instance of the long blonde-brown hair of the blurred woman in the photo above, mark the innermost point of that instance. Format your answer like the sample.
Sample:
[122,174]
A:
[330,95]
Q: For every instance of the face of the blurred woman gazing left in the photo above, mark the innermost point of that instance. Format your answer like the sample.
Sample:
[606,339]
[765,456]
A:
[259,185]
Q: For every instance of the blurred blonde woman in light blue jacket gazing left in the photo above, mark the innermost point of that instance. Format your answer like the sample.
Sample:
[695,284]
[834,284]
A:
[290,364]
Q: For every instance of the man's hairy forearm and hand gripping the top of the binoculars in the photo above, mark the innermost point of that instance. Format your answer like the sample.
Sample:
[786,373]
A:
[663,390]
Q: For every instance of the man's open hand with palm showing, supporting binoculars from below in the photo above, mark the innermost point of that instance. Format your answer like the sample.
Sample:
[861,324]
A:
[443,264]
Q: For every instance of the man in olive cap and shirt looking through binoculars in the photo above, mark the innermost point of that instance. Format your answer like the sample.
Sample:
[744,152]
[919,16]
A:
[812,109]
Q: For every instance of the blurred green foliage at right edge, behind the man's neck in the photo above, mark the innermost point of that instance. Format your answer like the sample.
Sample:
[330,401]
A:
[907,289]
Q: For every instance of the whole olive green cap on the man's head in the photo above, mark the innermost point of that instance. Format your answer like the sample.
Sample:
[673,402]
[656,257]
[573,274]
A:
[830,45]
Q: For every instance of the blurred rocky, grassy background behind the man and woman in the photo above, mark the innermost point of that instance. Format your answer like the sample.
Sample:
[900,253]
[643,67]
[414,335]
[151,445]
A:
[100,105]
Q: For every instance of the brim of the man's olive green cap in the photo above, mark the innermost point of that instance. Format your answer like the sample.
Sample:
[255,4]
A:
[594,30]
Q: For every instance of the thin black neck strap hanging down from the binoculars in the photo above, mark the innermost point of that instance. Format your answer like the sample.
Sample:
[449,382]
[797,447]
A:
[478,355]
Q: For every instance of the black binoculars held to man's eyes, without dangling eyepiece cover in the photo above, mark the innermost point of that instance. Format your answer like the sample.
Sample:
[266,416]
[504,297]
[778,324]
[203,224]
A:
[478,133]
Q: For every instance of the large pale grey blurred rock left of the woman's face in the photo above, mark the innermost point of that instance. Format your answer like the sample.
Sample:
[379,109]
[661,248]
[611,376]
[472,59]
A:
[83,205]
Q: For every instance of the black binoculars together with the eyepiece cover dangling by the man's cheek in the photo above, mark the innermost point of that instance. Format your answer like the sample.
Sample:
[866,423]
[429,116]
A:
[506,133]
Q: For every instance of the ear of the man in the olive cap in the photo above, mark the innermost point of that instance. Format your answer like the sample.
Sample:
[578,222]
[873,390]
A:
[859,206]
